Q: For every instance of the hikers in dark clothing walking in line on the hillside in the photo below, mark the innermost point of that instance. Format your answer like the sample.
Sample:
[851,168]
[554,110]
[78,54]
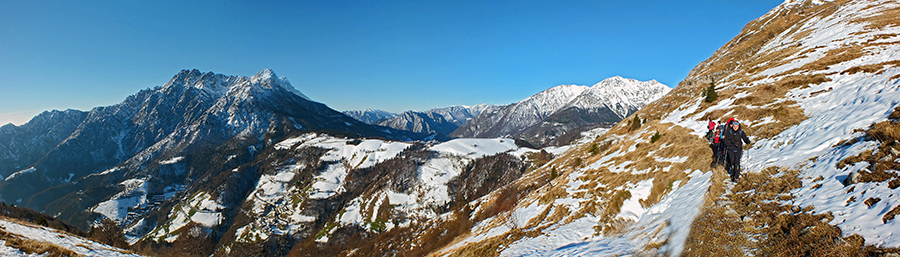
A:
[727,142]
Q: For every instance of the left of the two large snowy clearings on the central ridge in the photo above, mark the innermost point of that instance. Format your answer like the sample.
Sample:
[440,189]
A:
[275,195]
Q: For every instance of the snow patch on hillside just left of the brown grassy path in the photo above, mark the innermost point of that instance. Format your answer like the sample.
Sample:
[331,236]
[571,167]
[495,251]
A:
[650,226]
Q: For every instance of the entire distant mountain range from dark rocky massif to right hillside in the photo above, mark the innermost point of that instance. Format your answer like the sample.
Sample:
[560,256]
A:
[555,116]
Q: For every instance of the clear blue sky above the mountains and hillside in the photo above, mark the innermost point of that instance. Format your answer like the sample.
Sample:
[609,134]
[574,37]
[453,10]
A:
[390,55]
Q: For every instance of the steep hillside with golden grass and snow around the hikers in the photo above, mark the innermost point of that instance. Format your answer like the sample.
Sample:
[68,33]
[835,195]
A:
[815,85]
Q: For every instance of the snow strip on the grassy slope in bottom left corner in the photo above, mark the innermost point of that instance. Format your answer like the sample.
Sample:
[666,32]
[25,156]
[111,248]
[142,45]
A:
[81,246]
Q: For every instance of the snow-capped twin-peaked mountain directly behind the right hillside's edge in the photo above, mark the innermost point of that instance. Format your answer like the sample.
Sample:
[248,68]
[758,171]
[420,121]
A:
[546,117]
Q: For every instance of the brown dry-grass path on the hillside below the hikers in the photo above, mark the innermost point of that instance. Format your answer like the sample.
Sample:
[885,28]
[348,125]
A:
[751,218]
